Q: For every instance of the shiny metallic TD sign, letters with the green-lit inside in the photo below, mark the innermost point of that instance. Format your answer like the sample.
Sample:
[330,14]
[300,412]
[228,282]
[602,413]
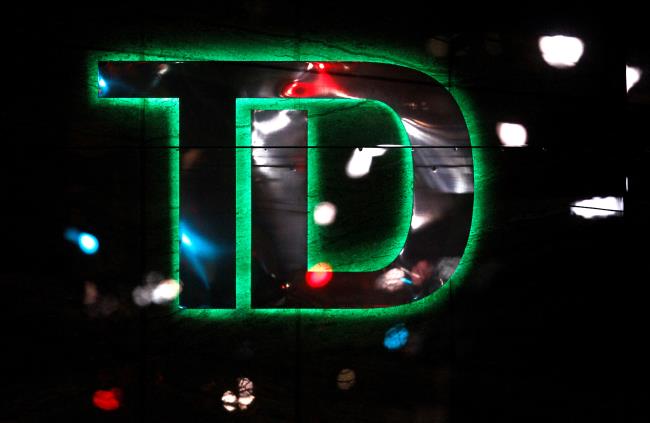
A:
[311,184]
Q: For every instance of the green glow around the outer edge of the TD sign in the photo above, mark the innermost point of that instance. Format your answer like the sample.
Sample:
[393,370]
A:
[259,47]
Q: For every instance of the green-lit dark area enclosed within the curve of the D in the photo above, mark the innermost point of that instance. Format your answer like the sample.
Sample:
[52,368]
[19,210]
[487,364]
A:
[382,207]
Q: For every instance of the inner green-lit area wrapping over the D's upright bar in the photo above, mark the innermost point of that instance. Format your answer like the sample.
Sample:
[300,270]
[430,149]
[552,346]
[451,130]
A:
[333,122]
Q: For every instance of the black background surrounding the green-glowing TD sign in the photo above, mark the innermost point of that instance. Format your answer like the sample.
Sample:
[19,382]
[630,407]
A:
[549,326]
